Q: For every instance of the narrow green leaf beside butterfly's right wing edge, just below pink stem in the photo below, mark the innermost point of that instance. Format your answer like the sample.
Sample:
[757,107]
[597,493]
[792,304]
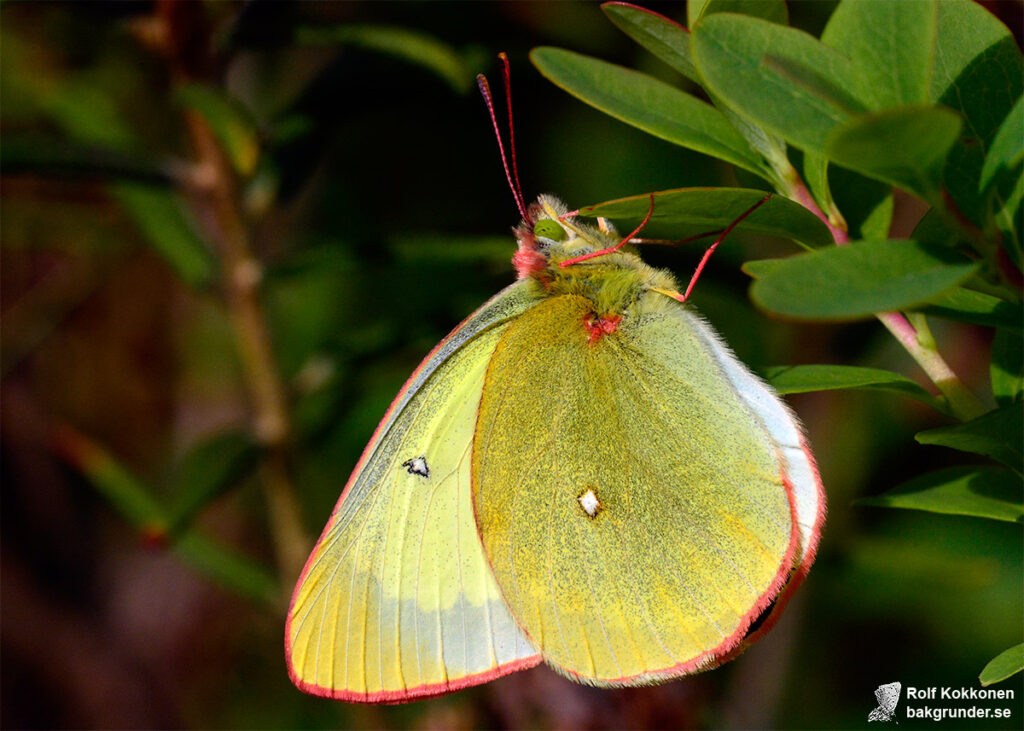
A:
[803,379]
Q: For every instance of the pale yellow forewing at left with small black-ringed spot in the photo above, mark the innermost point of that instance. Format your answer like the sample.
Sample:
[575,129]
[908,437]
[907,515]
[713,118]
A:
[397,600]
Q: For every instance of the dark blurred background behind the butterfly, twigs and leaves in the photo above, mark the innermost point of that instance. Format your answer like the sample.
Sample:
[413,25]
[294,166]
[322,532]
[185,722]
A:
[389,222]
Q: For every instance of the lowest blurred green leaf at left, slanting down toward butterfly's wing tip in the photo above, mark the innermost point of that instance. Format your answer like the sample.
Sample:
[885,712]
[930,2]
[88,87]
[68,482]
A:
[228,569]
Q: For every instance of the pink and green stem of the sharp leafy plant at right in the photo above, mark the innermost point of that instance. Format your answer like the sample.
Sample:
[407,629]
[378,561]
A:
[919,343]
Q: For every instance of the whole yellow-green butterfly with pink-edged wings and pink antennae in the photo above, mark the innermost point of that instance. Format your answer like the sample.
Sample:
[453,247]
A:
[581,474]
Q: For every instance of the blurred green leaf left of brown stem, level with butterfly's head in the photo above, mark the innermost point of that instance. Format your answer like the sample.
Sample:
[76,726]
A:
[168,230]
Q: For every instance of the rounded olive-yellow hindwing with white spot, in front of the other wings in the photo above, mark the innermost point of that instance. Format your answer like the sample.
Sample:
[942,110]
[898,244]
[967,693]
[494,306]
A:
[636,515]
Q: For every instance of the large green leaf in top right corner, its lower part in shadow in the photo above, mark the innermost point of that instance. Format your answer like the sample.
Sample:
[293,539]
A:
[979,74]
